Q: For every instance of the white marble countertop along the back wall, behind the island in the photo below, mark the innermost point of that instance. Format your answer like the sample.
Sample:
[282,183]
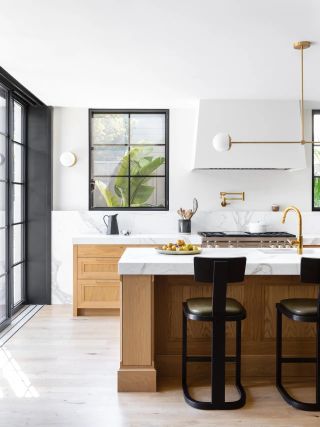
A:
[134,239]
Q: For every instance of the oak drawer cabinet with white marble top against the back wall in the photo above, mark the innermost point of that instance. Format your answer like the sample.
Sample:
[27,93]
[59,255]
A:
[96,281]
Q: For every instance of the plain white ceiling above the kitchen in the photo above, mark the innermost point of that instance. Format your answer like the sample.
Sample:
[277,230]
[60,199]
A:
[133,53]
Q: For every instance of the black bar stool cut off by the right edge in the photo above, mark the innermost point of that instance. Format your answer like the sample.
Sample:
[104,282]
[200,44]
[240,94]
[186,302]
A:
[300,310]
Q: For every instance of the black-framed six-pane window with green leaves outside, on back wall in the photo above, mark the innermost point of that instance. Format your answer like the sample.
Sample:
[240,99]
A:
[129,159]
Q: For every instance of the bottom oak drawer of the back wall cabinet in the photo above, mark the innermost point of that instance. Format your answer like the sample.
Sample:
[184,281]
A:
[98,294]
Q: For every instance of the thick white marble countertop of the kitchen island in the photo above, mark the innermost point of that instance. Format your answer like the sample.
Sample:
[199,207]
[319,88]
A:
[259,261]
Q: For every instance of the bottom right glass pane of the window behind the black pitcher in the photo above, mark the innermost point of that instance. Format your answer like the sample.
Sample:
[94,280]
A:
[147,192]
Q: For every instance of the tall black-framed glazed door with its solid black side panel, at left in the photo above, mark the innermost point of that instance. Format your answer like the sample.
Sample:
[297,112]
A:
[25,198]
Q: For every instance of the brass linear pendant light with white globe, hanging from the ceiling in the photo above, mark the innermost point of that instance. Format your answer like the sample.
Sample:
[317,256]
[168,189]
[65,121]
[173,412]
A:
[223,142]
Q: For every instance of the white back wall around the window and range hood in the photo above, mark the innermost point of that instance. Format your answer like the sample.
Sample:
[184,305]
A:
[262,188]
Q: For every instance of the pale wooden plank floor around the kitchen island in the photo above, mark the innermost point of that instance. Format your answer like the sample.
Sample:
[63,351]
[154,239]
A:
[61,371]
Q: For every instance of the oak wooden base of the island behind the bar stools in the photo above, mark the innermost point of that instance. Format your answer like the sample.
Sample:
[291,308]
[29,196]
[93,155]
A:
[151,328]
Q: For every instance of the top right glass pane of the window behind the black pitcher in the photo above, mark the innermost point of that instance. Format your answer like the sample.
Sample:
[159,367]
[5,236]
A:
[147,129]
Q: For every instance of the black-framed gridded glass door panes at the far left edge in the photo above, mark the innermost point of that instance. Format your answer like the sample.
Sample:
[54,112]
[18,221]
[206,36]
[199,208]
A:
[12,204]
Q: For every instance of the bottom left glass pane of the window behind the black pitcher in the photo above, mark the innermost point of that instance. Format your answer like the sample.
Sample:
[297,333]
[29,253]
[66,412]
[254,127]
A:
[110,192]
